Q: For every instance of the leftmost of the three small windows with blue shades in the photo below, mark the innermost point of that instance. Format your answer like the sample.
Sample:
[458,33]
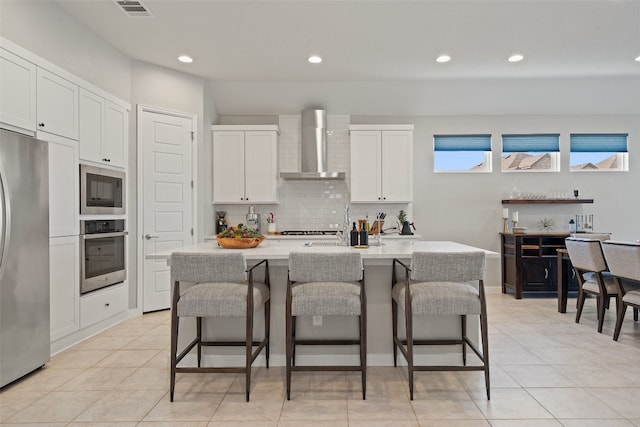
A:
[462,153]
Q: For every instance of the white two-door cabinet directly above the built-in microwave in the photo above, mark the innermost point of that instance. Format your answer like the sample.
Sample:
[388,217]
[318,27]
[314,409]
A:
[103,130]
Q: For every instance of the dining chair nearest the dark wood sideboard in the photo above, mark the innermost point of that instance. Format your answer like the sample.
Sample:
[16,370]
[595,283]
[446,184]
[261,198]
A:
[592,273]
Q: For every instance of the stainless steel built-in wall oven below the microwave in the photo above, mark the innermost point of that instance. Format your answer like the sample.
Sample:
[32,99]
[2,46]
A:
[102,253]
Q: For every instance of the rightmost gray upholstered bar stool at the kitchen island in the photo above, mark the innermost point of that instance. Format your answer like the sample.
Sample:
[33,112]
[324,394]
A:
[437,283]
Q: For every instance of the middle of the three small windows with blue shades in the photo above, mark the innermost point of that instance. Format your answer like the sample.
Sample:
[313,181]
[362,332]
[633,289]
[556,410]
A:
[538,152]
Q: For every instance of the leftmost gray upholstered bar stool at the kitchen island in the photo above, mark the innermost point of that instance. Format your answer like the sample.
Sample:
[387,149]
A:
[223,288]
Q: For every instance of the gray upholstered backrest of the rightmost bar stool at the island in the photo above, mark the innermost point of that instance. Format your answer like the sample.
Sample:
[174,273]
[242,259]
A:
[447,266]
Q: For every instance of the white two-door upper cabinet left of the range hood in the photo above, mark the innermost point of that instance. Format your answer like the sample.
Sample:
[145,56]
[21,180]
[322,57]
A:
[245,164]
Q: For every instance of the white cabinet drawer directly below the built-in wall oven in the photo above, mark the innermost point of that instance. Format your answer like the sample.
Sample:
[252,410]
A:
[103,304]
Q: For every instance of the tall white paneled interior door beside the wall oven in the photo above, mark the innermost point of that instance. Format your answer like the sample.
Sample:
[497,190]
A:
[167,200]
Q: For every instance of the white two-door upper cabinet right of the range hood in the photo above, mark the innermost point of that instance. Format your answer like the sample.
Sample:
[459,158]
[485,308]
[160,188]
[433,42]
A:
[381,163]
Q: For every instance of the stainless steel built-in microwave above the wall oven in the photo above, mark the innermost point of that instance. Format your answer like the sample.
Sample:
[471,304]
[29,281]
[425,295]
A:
[102,191]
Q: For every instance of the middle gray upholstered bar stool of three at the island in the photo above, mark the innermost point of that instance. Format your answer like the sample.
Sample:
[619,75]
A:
[325,284]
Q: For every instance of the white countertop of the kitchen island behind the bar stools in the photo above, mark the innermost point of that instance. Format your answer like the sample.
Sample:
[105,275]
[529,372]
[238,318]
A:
[280,249]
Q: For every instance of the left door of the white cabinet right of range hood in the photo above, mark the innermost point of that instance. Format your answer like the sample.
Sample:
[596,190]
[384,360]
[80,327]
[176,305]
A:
[366,166]
